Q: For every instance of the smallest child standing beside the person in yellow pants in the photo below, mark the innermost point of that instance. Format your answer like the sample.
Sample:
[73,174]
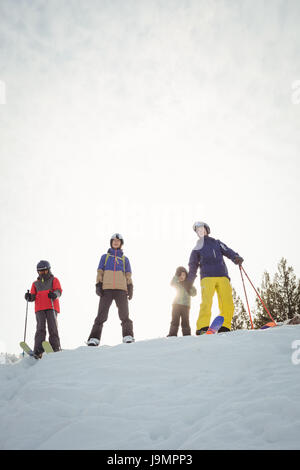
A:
[181,304]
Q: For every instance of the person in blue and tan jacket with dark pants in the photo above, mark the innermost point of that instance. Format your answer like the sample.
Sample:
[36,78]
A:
[113,282]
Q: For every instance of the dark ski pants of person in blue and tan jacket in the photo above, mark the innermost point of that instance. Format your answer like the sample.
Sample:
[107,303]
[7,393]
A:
[121,300]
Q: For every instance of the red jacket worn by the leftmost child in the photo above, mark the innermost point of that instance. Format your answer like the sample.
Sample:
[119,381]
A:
[41,290]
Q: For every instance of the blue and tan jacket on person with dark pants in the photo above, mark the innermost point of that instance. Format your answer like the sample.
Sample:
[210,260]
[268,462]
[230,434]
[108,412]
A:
[114,270]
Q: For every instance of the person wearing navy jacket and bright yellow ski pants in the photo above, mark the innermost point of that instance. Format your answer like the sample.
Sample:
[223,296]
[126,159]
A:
[208,256]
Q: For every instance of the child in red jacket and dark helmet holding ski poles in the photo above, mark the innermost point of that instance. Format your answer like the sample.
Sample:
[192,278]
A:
[45,292]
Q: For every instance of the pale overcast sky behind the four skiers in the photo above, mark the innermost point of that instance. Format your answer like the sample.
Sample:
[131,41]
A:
[141,117]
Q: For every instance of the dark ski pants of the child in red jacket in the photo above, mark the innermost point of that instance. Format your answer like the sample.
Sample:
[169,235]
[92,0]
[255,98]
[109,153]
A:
[44,317]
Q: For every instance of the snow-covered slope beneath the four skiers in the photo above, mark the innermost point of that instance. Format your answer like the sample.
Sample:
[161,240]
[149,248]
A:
[236,390]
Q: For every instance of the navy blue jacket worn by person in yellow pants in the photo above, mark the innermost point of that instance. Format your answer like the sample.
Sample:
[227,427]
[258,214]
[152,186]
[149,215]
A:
[210,259]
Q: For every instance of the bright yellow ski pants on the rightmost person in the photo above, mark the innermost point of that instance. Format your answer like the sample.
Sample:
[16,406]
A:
[224,292]
